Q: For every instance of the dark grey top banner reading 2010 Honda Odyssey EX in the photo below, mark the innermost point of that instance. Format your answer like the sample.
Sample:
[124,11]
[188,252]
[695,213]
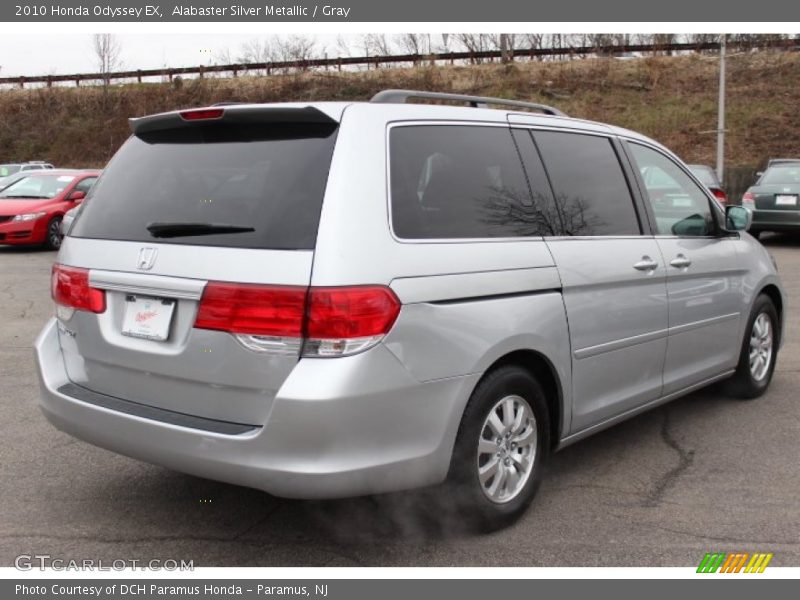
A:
[449,11]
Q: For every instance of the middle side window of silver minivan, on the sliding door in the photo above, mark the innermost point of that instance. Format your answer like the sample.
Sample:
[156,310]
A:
[591,192]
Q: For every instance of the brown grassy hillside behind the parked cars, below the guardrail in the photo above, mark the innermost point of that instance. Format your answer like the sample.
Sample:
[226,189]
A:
[672,99]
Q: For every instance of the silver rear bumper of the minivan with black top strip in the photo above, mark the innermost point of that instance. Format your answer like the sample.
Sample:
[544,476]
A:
[338,427]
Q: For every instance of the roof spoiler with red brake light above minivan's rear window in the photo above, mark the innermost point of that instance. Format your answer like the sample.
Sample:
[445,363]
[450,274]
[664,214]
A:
[247,114]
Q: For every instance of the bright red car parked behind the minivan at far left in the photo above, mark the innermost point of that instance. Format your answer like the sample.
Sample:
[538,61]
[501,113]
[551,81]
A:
[31,209]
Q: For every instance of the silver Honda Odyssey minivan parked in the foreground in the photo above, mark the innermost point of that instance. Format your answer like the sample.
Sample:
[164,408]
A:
[333,299]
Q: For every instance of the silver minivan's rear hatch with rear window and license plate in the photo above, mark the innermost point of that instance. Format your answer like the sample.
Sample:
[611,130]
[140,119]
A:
[194,203]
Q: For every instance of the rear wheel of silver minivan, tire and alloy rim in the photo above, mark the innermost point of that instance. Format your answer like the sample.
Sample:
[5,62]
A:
[512,395]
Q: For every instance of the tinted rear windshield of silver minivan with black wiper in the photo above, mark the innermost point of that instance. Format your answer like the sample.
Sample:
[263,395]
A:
[242,186]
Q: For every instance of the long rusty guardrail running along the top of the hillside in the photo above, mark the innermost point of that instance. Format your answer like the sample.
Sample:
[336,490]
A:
[377,61]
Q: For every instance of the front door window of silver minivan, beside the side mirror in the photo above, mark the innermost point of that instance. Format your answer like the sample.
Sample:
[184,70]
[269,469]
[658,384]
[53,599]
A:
[679,204]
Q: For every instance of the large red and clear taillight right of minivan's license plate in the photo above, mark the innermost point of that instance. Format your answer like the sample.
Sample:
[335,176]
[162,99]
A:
[283,319]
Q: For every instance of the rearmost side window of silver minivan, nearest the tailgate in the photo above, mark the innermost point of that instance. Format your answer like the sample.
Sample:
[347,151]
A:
[459,181]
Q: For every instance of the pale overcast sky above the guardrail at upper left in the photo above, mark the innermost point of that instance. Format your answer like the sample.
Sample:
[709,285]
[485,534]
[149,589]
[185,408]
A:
[55,53]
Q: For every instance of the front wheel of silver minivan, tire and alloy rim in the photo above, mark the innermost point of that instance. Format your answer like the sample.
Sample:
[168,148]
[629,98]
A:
[762,337]
